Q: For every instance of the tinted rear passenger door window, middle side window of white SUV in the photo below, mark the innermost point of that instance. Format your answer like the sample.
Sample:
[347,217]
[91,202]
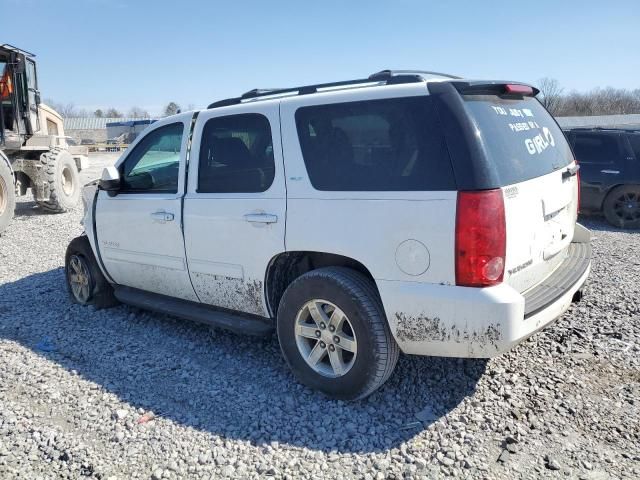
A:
[236,155]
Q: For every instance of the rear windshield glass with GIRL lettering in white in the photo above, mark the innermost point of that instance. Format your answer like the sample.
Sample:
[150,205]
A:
[521,139]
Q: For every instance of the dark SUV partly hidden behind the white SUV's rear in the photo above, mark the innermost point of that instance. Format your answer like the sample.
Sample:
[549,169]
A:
[609,172]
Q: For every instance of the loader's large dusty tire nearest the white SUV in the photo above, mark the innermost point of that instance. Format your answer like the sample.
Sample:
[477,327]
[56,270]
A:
[64,181]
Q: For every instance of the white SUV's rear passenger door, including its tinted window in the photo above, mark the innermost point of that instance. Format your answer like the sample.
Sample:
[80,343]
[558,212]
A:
[234,212]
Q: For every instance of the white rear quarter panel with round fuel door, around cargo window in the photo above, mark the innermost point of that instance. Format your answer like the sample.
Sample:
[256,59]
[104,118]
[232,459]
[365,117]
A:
[381,230]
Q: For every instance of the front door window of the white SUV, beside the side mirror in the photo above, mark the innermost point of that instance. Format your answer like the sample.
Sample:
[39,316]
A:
[153,165]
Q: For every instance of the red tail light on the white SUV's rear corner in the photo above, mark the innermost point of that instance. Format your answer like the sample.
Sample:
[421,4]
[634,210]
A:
[480,238]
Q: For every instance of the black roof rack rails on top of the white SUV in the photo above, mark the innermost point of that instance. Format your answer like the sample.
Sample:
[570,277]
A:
[385,77]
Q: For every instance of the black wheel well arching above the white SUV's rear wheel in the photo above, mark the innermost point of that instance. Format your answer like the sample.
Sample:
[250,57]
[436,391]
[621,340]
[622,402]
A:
[286,267]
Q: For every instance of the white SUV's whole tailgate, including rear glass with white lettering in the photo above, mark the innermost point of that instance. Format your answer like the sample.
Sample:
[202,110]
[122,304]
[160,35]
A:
[535,169]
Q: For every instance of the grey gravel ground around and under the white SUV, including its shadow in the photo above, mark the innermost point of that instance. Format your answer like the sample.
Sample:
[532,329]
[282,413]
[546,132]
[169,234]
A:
[76,386]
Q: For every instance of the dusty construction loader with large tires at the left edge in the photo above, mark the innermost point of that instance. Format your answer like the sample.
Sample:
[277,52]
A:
[34,153]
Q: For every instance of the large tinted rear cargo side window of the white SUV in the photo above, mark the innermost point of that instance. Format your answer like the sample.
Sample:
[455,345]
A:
[378,145]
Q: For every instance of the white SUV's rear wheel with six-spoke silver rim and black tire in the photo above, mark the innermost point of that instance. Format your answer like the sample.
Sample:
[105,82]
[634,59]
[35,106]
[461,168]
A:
[350,293]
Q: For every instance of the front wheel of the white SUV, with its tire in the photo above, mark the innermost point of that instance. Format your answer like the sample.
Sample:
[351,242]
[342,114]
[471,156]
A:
[98,290]
